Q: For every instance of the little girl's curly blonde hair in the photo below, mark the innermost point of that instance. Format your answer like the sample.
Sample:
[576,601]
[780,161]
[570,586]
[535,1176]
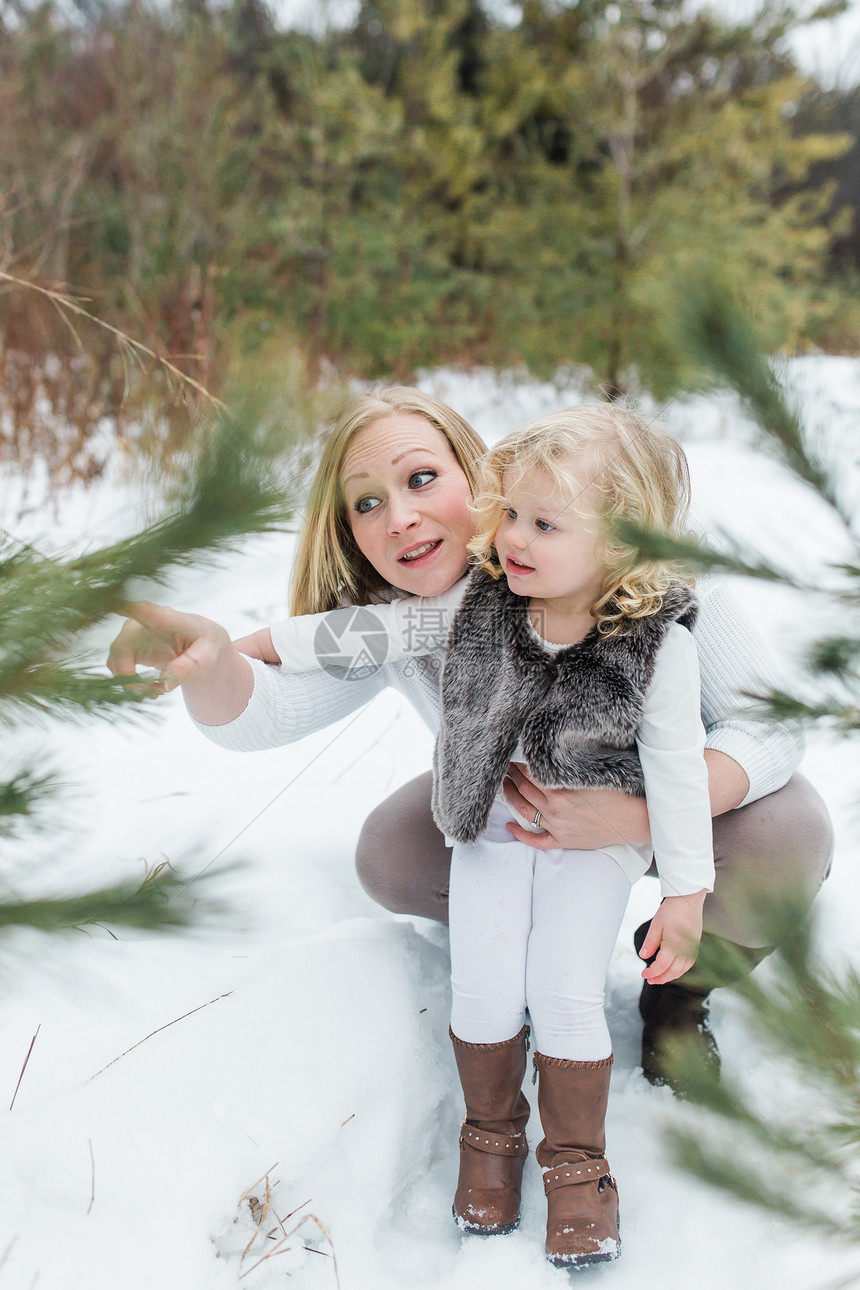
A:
[625,466]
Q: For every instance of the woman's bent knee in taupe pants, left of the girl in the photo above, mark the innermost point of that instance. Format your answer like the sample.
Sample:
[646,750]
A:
[402,857]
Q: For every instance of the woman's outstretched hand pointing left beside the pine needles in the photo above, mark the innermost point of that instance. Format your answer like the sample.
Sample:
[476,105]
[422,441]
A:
[189,651]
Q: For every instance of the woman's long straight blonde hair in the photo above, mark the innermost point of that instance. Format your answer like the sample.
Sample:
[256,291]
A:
[329,567]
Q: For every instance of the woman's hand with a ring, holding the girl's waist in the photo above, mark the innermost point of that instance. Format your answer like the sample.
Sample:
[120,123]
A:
[581,820]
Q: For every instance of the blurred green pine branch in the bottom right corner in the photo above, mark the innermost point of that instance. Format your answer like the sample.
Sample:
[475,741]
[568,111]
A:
[810,1021]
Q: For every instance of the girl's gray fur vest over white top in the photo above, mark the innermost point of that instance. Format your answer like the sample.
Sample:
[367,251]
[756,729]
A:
[576,711]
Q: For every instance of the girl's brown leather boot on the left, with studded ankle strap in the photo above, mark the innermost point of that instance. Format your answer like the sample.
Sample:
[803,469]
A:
[493,1142]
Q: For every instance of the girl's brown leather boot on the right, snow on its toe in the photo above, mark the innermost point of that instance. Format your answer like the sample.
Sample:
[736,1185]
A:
[582,1196]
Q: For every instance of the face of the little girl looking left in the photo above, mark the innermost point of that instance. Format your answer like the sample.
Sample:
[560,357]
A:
[549,550]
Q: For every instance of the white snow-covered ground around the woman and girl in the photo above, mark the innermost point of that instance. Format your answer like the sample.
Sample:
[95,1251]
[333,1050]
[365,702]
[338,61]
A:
[315,1058]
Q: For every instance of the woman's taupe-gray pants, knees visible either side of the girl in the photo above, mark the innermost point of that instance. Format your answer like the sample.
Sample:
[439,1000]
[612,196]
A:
[783,843]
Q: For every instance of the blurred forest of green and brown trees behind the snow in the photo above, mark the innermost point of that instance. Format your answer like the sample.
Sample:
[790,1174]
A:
[424,185]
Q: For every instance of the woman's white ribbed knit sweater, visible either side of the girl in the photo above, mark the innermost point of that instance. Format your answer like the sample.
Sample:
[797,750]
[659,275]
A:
[733,660]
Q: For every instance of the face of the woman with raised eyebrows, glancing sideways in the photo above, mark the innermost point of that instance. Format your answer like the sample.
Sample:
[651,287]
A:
[407,499]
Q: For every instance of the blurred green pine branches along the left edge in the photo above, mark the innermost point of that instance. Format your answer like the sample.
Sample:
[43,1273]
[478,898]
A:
[50,604]
